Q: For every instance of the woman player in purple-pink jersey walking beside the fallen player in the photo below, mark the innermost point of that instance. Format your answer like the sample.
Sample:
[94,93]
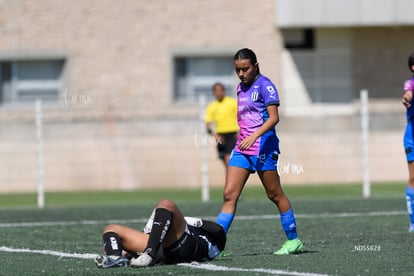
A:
[257,148]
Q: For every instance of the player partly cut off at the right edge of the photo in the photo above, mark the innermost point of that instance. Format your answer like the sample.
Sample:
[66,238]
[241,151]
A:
[407,100]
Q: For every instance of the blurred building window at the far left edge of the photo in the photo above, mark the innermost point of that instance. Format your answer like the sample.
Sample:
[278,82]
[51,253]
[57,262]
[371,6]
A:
[27,81]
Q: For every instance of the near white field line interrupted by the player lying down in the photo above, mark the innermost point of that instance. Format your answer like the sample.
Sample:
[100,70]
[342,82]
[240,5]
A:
[209,267]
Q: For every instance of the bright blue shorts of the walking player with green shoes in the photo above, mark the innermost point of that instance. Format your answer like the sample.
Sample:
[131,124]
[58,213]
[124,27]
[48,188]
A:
[262,162]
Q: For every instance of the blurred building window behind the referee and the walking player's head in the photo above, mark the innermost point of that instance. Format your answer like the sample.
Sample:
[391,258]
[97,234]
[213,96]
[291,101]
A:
[194,76]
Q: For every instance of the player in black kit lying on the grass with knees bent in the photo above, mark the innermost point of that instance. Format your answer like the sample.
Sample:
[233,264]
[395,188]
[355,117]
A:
[168,238]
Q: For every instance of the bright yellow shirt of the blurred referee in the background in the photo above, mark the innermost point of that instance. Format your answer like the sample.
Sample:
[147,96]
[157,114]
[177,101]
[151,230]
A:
[223,114]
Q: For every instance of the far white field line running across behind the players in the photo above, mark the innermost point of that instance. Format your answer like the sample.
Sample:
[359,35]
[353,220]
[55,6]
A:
[239,217]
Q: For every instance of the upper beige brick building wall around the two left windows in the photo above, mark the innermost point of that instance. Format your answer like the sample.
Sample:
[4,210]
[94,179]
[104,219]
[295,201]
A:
[119,53]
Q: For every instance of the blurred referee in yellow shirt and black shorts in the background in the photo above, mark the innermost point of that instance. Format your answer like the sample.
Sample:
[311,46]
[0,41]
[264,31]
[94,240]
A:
[223,114]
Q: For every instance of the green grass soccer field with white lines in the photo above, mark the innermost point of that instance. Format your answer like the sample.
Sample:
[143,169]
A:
[343,234]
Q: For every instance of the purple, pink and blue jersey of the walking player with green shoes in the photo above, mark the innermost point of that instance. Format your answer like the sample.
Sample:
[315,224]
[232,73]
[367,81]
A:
[252,113]
